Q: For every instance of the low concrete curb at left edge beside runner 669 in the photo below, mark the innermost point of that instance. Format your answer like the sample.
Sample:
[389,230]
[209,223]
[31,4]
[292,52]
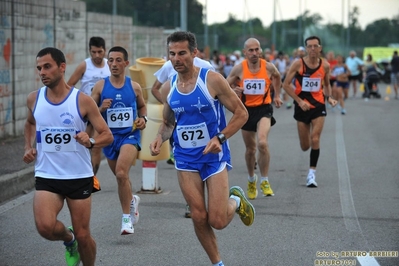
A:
[16,184]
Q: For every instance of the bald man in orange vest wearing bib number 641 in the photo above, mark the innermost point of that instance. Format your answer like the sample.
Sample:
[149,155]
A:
[253,80]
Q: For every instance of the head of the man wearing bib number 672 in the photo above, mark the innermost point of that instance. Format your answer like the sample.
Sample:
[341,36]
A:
[182,50]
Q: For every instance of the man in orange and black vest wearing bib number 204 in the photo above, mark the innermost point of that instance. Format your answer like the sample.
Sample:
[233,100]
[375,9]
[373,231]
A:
[312,85]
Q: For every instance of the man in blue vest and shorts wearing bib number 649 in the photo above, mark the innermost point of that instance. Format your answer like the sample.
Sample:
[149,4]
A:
[122,105]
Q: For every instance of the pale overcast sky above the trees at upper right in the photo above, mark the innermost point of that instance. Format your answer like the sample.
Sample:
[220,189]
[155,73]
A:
[330,10]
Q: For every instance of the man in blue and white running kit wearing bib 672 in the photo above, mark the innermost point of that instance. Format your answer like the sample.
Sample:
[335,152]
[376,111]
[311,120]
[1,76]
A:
[194,101]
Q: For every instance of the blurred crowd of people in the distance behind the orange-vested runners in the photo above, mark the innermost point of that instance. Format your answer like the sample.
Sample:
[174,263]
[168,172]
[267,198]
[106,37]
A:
[347,74]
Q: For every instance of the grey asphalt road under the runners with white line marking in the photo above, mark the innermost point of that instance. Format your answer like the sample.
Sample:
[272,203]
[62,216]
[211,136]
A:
[354,210]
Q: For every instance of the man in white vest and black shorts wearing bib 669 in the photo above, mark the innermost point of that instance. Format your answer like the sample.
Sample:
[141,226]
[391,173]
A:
[56,122]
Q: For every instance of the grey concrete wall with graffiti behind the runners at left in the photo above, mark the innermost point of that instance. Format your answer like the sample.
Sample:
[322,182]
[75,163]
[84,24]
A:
[27,26]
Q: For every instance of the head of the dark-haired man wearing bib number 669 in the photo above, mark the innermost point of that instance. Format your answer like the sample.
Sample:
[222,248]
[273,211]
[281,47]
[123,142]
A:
[51,65]
